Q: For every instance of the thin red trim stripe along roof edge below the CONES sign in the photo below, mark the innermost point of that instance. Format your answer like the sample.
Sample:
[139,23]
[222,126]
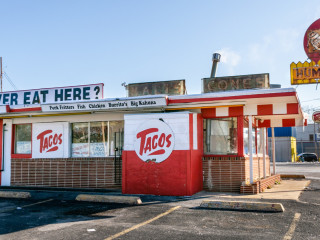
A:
[172,101]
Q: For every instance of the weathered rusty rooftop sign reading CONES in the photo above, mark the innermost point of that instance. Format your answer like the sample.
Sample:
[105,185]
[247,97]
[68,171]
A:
[236,82]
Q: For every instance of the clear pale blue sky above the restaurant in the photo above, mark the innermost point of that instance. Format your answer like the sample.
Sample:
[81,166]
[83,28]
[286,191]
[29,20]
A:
[64,43]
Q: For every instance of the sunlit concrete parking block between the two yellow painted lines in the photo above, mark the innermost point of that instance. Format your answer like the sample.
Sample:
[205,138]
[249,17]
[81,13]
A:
[240,205]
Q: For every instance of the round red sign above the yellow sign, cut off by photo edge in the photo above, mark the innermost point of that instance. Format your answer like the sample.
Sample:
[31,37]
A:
[311,41]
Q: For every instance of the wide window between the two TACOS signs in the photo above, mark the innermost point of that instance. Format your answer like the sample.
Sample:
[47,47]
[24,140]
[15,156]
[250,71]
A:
[95,139]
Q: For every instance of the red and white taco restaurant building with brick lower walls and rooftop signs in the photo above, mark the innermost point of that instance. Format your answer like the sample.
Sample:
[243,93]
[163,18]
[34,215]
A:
[157,140]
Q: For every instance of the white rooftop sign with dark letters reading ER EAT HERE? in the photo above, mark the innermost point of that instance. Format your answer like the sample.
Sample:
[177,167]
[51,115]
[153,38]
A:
[52,95]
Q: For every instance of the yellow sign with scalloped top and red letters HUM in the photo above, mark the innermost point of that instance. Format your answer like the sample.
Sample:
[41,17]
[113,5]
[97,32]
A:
[304,73]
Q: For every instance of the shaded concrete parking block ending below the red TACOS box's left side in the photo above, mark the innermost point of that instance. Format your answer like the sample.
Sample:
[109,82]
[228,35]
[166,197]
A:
[109,199]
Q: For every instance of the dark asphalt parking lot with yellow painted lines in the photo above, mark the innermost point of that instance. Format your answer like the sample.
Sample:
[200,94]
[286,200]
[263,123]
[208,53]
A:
[56,215]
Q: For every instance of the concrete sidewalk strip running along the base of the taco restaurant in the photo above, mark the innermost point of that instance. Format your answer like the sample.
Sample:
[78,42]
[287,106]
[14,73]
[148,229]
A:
[288,189]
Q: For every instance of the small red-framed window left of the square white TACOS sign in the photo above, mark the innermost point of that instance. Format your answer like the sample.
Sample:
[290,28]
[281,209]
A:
[22,139]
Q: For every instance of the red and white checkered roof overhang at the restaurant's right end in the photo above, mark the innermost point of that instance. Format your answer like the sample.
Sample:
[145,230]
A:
[272,108]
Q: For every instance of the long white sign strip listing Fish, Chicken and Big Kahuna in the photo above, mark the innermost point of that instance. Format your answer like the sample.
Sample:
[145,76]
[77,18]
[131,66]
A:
[106,105]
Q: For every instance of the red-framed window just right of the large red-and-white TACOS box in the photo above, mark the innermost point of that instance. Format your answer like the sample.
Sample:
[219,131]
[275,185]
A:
[221,136]
